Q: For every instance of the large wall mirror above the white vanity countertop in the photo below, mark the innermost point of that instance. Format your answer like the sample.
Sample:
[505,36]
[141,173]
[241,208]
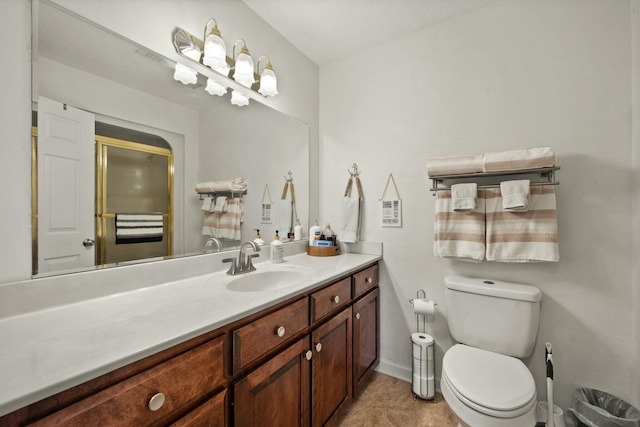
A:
[148,118]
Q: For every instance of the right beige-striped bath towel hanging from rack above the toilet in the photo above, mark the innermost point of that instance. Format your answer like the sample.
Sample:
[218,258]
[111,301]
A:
[523,236]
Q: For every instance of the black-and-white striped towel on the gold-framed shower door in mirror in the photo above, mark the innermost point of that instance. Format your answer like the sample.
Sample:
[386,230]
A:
[139,227]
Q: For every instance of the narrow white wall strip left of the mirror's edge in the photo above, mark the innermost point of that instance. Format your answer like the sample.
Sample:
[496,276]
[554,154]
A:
[15,131]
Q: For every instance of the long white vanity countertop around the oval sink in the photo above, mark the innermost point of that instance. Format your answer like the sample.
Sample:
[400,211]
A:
[46,351]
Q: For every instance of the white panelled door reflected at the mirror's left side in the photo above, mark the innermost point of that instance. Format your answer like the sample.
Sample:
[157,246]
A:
[66,173]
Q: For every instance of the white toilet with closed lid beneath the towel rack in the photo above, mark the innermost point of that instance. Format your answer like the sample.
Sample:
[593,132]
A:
[483,381]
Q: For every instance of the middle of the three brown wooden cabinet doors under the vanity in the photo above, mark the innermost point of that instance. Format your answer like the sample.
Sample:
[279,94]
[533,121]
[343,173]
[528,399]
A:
[331,369]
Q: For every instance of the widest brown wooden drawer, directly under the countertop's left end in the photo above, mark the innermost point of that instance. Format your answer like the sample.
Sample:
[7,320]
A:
[180,380]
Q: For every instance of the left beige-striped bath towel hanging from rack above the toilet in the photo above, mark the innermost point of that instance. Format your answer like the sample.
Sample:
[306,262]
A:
[459,235]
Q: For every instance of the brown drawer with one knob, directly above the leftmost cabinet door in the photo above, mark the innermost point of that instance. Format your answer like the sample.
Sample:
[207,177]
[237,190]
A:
[260,337]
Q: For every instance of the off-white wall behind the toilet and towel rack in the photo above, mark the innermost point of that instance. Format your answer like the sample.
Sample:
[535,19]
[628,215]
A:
[515,74]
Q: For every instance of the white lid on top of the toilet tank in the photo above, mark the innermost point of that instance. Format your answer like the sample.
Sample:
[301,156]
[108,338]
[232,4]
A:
[494,288]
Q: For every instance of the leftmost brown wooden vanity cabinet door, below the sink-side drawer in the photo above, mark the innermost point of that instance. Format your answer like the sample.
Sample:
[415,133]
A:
[277,393]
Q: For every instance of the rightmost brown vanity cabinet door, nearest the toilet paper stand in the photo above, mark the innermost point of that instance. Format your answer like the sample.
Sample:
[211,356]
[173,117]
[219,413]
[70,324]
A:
[366,339]
